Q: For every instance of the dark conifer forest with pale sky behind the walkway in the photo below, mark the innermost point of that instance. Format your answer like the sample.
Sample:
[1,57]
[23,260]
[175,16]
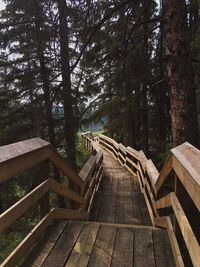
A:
[131,66]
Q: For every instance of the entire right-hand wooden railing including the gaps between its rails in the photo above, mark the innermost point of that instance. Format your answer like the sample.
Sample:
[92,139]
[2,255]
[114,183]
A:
[172,196]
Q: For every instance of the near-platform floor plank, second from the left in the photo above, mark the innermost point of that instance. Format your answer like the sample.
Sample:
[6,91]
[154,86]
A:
[64,245]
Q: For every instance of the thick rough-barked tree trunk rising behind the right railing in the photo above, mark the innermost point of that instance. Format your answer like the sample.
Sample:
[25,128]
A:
[179,74]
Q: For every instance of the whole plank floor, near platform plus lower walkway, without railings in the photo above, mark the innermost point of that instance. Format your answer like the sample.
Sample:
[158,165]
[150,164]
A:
[122,235]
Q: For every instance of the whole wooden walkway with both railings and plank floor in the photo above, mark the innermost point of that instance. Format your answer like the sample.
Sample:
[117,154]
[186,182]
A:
[126,212]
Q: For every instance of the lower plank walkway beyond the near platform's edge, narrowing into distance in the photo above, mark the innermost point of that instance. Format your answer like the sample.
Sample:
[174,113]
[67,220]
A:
[119,199]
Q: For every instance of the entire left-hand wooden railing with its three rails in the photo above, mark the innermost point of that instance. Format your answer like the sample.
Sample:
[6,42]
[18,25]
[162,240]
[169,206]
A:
[19,157]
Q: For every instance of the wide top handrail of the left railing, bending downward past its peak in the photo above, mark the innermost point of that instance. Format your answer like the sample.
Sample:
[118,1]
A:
[21,156]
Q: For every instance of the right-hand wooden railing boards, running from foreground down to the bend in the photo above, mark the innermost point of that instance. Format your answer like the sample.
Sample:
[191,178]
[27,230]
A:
[184,160]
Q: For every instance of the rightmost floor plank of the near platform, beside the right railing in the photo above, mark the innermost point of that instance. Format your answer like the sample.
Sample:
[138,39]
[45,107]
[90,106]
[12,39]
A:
[162,249]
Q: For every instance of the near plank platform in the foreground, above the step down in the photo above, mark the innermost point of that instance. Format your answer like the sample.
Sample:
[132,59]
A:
[96,244]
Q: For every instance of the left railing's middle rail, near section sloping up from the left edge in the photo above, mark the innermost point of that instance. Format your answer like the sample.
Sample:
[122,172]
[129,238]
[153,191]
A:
[8,217]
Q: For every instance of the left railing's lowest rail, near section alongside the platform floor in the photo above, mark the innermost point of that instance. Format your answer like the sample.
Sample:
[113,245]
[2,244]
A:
[27,242]
